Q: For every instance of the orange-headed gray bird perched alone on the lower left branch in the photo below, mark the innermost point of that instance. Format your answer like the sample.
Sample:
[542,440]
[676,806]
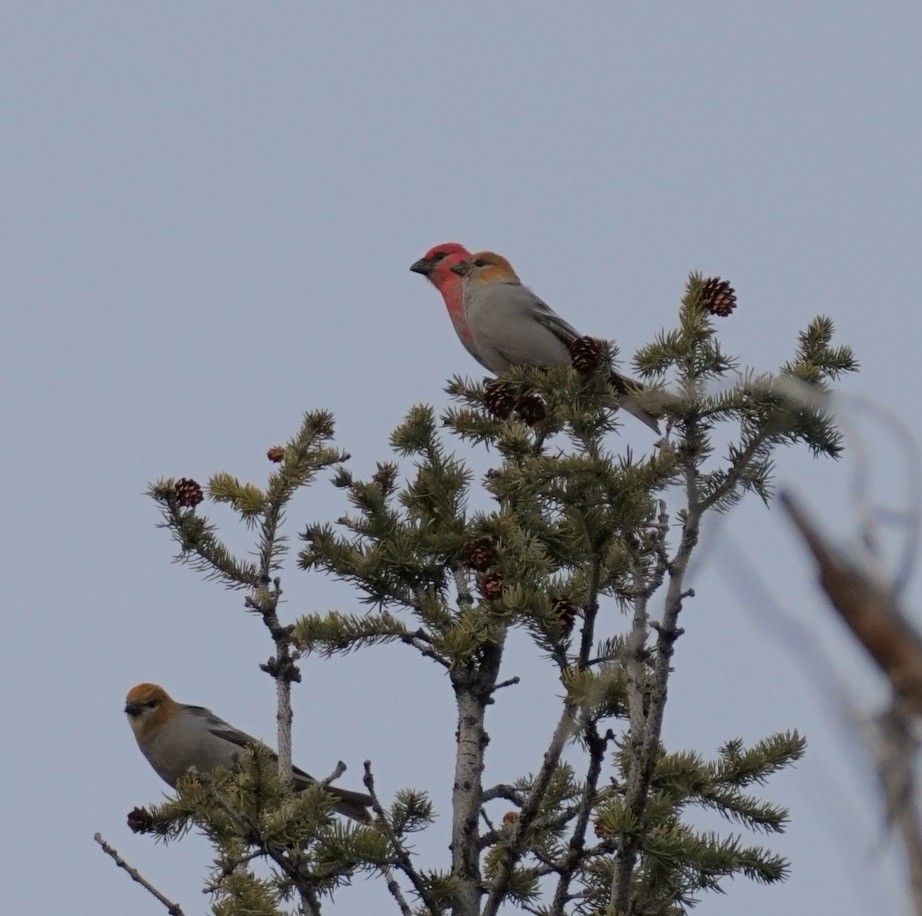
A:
[174,737]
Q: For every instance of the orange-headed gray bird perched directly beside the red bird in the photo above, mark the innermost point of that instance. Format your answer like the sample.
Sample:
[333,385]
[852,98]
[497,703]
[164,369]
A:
[511,326]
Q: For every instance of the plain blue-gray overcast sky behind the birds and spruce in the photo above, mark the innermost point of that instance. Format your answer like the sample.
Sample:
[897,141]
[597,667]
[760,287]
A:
[208,214]
